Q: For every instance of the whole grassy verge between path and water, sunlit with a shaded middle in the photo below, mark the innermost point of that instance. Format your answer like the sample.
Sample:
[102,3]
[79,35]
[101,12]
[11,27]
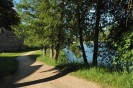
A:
[99,75]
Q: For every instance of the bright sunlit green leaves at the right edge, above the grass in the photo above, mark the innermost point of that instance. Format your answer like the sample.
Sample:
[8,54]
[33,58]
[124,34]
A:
[125,48]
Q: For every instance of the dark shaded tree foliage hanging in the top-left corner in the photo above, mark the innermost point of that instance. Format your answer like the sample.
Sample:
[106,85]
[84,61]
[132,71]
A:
[8,16]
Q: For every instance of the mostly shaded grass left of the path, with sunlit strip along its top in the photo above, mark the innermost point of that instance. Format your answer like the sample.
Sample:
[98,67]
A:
[8,63]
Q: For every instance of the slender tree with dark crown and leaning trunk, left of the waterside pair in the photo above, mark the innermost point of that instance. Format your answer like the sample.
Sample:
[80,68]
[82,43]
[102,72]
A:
[76,20]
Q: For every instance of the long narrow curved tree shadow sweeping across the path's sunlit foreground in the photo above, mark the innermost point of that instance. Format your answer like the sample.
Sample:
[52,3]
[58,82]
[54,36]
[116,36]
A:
[60,72]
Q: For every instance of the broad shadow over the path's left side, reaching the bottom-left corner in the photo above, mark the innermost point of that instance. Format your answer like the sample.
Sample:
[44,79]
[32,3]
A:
[25,70]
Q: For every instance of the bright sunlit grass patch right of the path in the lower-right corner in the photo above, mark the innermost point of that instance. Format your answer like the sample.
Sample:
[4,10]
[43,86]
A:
[105,77]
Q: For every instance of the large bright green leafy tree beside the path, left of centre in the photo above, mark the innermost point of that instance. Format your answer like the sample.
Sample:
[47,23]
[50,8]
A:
[46,24]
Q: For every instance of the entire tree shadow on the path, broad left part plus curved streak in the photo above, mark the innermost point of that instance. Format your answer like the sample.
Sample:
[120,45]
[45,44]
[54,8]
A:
[26,70]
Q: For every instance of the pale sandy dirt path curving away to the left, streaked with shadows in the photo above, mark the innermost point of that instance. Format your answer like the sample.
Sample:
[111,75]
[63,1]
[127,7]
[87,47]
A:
[34,74]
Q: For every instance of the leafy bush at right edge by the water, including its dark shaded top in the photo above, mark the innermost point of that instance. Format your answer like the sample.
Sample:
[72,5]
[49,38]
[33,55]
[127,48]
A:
[122,42]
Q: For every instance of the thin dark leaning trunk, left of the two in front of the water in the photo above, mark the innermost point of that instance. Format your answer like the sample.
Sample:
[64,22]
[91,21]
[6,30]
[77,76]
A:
[81,35]
